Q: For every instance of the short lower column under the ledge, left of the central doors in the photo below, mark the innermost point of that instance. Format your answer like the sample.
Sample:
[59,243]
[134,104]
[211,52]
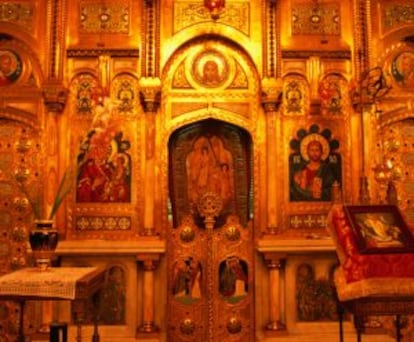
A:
[150,263]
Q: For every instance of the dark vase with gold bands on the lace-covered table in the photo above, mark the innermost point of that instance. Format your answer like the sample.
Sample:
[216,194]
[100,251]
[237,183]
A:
[43,242]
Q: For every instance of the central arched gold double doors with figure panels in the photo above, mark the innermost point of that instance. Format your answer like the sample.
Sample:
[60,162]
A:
[210,253]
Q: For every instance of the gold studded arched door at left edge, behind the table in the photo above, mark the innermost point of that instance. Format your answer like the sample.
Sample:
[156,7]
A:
[21,188]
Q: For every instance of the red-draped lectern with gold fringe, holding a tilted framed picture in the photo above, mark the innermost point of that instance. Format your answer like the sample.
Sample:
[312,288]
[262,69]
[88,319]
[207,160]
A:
[375,275]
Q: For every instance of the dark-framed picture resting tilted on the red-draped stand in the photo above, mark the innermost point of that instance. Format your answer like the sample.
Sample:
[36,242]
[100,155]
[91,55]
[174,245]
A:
[379,229]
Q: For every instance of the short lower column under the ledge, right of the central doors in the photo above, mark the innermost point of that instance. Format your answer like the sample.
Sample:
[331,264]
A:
[274,262]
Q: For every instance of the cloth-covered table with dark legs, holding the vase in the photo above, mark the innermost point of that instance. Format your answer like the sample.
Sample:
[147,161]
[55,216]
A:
[77,284]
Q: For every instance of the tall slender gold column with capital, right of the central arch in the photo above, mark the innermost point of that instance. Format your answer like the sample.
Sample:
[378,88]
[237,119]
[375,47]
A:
[271,99]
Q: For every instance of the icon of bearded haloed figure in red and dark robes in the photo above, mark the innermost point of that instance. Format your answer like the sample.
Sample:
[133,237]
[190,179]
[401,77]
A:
[314,170]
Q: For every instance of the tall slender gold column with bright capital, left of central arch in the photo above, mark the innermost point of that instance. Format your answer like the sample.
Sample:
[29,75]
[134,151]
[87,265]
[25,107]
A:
[150,92]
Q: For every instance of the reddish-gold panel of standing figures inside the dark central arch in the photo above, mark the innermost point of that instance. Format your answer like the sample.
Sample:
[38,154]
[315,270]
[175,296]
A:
[209,167]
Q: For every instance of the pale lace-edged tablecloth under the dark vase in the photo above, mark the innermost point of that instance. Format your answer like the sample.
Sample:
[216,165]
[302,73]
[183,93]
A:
[59,282]
